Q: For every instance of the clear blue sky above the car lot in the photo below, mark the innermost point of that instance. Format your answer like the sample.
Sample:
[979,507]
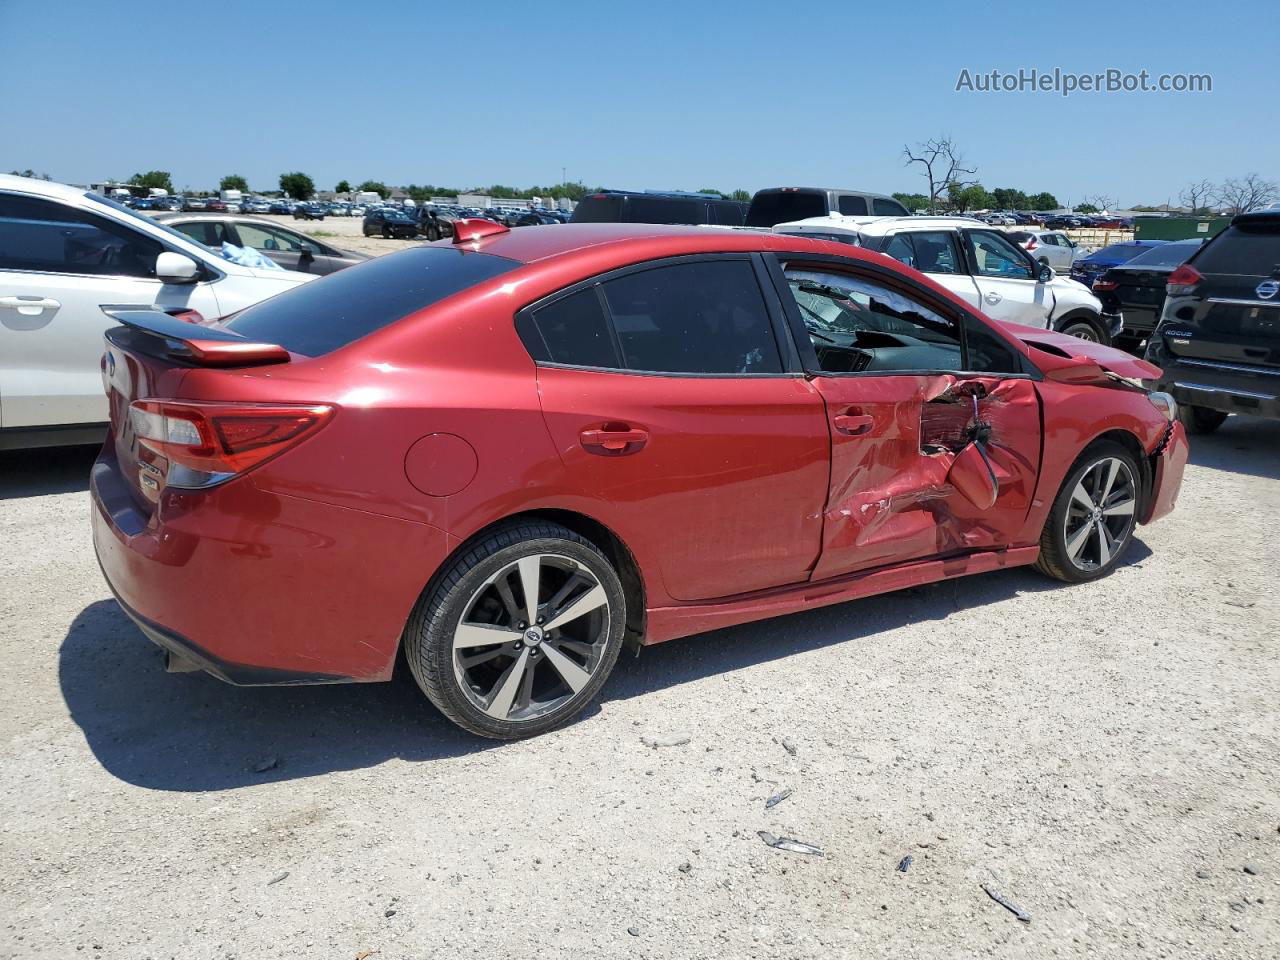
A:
[655,95]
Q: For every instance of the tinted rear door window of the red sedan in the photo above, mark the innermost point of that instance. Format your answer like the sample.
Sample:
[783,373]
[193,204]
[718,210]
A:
[703,318]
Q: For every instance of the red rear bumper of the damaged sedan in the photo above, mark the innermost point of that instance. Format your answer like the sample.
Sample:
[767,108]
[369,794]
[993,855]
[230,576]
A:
[260,588]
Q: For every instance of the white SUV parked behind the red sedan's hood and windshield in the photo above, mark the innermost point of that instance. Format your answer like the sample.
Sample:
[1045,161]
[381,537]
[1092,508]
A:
[979,264]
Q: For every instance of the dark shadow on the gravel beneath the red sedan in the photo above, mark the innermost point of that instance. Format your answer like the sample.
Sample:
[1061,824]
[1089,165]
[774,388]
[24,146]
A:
[191,733]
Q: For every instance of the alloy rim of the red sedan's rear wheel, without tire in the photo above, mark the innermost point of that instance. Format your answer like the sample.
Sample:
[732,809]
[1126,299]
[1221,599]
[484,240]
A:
[532,637]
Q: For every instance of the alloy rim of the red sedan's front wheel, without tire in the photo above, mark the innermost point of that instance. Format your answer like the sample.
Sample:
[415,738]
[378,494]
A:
[1100,515]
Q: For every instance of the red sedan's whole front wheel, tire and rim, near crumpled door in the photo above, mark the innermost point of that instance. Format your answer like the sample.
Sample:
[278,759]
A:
[1092,520]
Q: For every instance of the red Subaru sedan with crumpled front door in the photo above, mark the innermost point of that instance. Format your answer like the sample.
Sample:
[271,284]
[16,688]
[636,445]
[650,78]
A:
[510,455]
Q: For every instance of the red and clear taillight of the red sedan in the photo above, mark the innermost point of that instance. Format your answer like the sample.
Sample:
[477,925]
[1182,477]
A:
[209,444]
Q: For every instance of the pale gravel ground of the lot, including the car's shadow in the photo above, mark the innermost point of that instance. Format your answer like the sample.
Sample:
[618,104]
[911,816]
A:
[1104,757]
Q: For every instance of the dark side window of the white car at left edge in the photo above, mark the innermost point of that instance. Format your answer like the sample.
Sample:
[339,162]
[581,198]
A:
[40,235]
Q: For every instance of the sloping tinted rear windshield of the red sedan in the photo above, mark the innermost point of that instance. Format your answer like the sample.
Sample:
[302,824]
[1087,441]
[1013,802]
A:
[323,316]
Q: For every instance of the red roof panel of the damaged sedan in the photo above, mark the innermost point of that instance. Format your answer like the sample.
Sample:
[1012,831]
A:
[651,241]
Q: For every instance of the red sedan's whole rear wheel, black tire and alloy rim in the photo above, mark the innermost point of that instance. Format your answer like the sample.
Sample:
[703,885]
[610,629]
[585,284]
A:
[519,633]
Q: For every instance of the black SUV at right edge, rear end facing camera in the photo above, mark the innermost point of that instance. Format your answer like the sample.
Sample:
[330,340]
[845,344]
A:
[1219,336]
